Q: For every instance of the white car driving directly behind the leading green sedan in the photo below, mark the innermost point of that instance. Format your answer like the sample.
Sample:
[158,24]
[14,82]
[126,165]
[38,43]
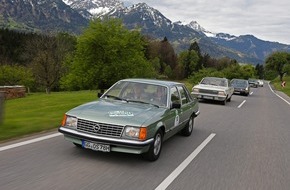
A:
[214,88]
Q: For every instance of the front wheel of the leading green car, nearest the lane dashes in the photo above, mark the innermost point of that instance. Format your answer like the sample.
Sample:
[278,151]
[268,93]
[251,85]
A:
[155,147]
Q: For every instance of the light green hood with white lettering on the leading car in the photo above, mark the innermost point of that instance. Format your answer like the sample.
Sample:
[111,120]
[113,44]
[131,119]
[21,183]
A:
[117,112]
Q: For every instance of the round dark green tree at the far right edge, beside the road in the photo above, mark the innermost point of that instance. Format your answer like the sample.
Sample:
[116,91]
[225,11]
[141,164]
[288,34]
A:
[278,62]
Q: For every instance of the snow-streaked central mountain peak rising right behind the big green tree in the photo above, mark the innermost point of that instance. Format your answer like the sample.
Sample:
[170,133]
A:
[153,23]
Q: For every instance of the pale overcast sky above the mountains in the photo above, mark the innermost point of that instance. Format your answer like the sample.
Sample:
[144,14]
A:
[265,19]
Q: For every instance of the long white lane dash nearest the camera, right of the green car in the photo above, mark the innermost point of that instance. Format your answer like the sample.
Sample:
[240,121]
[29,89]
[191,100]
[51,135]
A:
[167,181]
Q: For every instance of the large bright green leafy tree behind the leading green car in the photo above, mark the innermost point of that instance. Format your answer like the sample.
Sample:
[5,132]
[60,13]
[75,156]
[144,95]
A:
[106,52]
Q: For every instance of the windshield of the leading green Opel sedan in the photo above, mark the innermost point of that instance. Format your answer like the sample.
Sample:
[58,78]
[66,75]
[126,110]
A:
[138,92]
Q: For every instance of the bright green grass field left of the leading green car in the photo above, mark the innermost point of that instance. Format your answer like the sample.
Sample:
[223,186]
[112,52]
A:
[39,112]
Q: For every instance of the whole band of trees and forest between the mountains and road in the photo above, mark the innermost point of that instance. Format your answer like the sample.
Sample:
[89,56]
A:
[104,53]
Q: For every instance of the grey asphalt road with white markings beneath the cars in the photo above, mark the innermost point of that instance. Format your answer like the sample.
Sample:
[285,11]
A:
[249,149]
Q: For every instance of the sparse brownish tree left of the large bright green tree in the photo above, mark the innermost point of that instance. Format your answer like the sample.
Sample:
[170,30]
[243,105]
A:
[47,54]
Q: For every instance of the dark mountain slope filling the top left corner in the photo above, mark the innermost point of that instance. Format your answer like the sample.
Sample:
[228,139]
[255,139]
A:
[40,15]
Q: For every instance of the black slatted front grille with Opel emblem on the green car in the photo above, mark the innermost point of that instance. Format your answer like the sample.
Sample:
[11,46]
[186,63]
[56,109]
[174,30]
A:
[99,128]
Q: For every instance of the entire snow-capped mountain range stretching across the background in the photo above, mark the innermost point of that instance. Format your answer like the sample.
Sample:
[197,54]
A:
[74,15]
